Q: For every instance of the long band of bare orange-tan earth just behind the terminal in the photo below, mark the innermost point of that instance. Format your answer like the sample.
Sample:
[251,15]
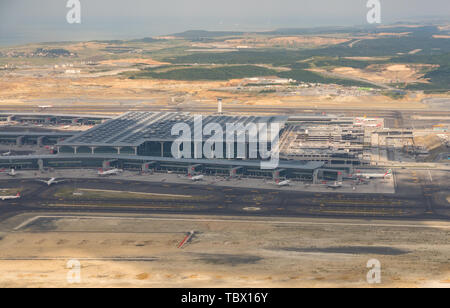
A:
[21,92]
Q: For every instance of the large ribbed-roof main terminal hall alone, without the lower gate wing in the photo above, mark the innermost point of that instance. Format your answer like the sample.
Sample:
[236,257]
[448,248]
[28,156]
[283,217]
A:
[150,134]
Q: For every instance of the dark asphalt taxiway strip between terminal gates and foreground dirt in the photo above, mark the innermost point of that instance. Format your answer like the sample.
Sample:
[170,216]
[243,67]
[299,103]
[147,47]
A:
[96,196]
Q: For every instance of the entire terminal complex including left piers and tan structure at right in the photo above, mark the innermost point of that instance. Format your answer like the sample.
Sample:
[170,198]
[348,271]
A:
[312,147]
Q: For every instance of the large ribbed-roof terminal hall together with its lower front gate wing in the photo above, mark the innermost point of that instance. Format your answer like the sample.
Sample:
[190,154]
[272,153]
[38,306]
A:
[144,140]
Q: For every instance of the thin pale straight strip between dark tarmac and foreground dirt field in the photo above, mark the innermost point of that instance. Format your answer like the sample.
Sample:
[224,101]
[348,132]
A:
[25,223]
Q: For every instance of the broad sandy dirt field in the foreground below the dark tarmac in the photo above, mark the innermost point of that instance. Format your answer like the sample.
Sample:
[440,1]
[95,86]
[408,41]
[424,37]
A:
[244,252]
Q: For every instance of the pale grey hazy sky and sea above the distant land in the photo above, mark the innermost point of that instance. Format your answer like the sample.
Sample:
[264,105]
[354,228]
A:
[24,21]
